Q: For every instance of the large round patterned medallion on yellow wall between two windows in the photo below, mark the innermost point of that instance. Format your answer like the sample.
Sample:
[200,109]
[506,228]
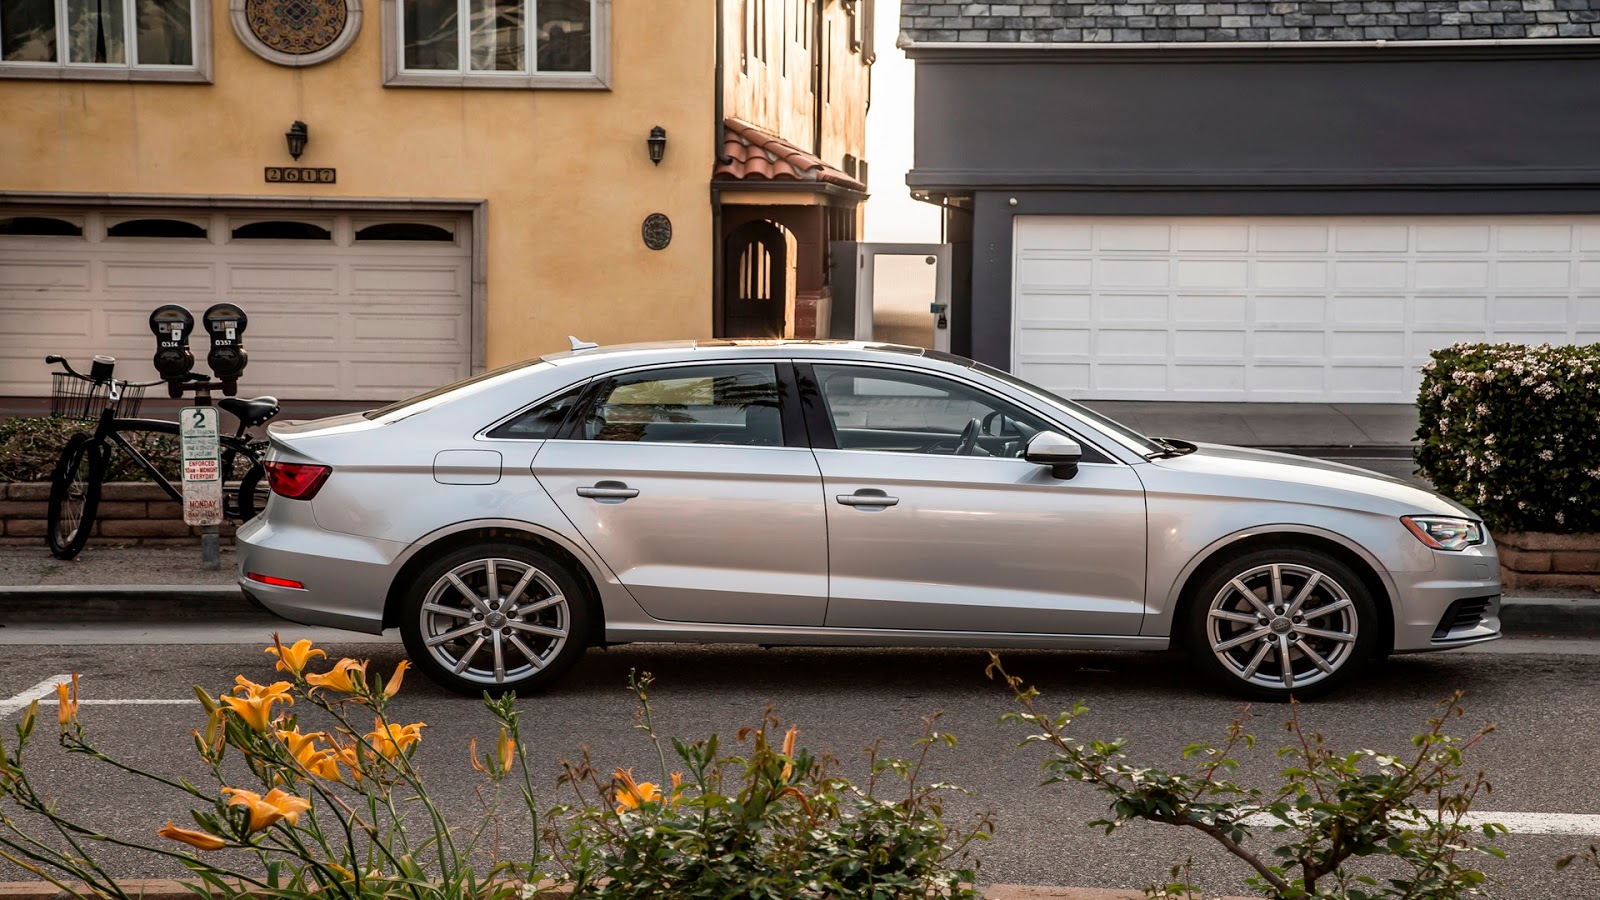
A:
[297,33]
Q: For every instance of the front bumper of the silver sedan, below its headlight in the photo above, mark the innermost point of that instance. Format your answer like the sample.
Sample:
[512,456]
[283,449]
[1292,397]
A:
[1454,606]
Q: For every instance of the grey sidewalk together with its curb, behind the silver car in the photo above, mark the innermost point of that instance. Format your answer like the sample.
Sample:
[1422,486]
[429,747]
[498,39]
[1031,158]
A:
[167,584]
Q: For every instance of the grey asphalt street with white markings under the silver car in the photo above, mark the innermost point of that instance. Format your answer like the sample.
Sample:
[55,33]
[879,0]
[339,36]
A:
[1543,696]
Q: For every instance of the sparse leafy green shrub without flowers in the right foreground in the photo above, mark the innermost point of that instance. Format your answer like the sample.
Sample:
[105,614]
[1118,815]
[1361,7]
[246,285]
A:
[1330,810]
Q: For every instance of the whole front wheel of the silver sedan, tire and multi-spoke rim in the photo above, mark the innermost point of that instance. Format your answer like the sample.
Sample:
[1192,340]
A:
[1247,640]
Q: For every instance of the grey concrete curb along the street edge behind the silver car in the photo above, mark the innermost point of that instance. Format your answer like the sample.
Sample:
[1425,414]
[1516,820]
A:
[1567,617]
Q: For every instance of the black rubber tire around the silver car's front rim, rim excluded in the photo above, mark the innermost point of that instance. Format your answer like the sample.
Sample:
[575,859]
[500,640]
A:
[1198,611]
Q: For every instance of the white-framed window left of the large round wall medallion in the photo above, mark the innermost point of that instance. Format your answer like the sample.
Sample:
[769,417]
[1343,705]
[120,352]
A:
[159,41]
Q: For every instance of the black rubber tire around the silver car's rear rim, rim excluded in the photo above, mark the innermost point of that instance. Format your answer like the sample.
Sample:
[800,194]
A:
[578,616]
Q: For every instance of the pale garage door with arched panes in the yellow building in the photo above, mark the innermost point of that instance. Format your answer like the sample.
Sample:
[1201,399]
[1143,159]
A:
[359,307]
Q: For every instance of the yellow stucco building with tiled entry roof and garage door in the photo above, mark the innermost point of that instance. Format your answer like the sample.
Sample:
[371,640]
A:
[462,199]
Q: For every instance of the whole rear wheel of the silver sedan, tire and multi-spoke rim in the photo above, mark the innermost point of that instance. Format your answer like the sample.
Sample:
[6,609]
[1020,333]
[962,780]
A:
[495,617]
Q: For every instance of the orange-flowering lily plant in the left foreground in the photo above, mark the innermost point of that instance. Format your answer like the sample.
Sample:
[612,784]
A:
[298,813]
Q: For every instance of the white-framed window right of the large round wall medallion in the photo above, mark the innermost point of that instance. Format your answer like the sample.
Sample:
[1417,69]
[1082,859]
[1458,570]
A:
[506,44]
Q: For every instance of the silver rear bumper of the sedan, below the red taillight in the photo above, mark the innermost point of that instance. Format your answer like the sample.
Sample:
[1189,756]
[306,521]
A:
[346,579]
